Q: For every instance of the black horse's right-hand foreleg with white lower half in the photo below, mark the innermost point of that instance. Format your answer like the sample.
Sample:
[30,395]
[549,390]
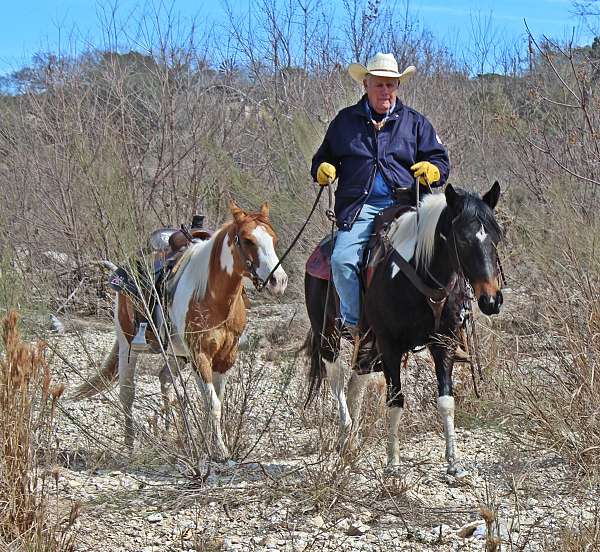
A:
[444,360]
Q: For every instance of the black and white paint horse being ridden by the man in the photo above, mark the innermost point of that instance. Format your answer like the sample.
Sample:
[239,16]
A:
[452,239]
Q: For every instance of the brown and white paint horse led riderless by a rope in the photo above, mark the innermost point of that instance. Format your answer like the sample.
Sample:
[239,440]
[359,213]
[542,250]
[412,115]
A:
[207,315]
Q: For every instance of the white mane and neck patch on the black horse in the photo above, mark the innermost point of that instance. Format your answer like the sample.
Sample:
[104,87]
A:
[408,240]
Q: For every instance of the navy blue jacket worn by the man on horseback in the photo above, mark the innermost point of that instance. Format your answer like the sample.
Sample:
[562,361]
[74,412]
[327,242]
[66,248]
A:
[357,151]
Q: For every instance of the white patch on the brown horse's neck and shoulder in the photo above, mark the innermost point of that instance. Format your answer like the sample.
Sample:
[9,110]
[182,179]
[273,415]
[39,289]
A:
[192,282]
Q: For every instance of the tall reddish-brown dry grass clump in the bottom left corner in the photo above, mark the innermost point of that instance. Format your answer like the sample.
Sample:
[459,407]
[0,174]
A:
[28,399]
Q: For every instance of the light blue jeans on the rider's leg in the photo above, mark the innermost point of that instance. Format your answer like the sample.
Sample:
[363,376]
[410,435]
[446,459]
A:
[346,259]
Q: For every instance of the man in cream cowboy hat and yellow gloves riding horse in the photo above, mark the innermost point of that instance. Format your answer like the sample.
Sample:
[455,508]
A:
[376,148]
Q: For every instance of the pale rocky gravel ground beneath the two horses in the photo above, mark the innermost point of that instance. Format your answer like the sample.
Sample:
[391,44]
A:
[287,487]
